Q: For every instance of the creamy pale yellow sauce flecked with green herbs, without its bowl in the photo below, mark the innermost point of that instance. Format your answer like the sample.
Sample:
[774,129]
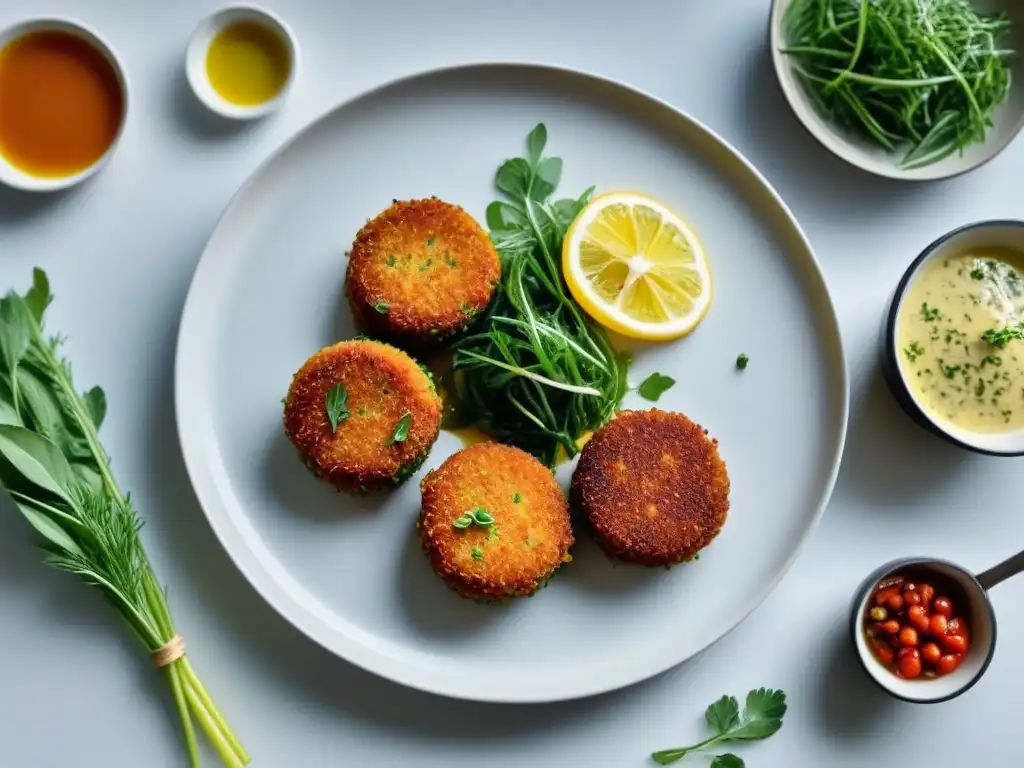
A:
[952,371]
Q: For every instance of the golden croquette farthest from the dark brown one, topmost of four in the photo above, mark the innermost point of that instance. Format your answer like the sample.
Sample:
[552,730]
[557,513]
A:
[421,272]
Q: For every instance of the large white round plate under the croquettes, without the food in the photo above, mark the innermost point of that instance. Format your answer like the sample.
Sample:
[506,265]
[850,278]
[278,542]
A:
[349,572]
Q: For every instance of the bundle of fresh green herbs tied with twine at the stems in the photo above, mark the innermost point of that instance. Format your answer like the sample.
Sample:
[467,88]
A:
[57,474]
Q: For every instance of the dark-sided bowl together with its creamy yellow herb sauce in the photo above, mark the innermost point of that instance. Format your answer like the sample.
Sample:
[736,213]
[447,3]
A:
[954,350]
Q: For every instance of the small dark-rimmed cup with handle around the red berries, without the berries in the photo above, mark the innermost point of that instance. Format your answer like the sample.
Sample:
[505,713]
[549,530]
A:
[980,616]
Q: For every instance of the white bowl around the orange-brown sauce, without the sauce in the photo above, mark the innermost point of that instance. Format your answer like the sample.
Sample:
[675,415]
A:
[16,178]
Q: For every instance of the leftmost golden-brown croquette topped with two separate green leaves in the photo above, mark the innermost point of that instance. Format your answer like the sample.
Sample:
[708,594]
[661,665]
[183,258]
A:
[387,410]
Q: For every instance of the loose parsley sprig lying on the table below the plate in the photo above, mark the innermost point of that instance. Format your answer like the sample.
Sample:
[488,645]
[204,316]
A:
[761,717]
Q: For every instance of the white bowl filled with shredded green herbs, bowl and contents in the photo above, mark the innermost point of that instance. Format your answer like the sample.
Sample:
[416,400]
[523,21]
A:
[908,90]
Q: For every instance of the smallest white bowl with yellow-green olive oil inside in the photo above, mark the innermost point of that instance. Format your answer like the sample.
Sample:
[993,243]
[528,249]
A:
[242,62]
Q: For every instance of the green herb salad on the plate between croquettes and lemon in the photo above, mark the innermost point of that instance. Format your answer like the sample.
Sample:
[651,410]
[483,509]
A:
[537,373]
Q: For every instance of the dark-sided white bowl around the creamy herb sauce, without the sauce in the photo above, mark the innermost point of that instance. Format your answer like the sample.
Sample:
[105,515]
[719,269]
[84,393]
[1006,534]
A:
[1003,235]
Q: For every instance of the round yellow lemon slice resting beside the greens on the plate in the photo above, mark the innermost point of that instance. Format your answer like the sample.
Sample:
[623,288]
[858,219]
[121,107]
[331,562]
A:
[636,268]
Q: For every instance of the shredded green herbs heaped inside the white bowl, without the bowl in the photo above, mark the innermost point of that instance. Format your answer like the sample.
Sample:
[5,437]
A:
[923,78]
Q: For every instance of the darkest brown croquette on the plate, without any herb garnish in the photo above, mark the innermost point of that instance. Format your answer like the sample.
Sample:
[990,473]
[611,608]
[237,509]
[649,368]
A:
[653,487]
